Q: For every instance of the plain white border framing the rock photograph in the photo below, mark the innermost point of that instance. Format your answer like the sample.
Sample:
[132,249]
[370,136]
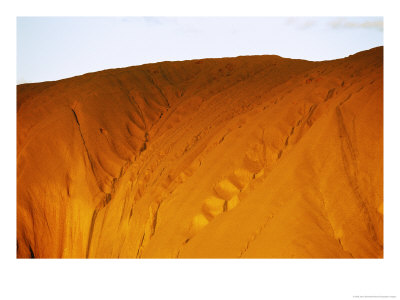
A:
[199,279]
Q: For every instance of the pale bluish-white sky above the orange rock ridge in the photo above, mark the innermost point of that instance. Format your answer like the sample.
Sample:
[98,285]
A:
[52,48]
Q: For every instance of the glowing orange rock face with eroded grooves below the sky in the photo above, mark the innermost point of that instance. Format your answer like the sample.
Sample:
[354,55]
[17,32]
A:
[256,156]
